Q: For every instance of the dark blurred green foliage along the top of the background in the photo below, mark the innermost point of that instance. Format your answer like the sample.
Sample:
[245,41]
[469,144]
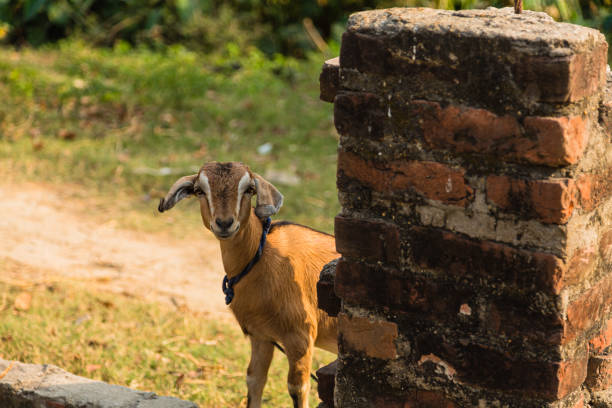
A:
[275,26]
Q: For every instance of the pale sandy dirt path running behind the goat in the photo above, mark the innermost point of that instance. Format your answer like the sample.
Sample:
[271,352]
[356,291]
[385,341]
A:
[42,237]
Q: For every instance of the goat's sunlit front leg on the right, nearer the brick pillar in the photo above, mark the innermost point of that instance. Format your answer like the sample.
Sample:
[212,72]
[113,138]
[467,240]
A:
[299,354]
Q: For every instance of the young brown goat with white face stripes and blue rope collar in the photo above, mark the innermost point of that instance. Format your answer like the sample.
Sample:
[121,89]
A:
[276,303]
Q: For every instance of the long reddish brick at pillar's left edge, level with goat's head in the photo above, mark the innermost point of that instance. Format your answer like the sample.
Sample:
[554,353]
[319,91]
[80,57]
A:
[430,179]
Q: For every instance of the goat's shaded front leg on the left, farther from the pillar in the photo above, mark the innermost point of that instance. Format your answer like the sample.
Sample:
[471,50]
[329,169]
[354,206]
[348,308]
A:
[257,373]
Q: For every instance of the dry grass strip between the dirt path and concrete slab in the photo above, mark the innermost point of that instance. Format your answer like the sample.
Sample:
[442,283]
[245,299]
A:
[126,341]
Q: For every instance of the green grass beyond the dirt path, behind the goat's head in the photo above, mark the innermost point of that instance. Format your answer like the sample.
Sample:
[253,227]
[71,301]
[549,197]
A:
[117,121]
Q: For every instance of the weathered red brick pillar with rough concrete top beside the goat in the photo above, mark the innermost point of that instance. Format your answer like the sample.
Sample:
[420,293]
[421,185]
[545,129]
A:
[475,177]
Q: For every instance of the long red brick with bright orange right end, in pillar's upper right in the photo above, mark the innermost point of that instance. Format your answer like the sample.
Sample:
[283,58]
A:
[551,141]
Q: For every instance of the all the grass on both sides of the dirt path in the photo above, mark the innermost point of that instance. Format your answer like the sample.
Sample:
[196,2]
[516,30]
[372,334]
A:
[115,122]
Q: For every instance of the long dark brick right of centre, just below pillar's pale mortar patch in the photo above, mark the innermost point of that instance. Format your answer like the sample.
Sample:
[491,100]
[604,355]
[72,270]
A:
[498,263]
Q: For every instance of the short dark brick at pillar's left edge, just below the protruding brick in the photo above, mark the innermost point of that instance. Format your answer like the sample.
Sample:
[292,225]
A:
[359,114]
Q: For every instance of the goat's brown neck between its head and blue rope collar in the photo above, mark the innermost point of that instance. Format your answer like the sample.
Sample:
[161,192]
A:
[237,251]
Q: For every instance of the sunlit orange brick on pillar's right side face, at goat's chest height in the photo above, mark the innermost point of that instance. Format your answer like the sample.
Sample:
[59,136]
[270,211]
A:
[593,306]
